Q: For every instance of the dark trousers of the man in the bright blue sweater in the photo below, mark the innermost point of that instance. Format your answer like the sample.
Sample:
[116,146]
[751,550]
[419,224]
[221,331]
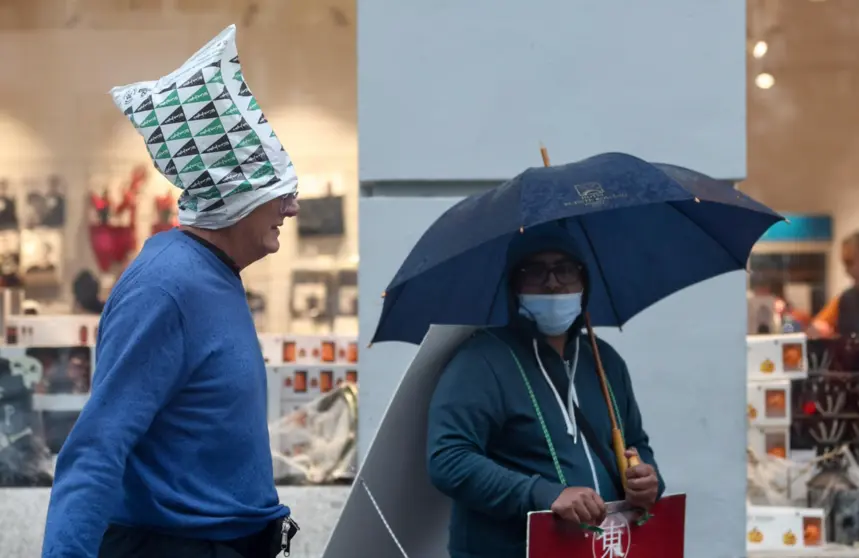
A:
[136,542]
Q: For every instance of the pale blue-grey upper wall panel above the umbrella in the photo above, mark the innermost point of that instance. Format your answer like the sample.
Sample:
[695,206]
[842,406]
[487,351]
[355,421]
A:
[455,90]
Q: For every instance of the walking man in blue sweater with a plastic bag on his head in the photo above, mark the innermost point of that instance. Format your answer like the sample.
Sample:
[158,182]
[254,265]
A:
[170,456]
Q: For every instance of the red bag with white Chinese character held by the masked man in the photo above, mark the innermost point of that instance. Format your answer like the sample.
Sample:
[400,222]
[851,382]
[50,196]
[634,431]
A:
[661,536]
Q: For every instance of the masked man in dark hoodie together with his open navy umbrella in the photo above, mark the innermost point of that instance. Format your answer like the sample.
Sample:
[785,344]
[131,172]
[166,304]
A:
[530,414]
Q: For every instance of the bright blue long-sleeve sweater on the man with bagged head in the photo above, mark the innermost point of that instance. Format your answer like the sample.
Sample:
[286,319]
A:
[174,437]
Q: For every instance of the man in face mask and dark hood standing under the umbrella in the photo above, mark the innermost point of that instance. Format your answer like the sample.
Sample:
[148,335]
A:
[518,422]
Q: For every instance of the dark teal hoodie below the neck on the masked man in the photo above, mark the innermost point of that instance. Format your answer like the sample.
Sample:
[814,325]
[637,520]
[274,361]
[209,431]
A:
[486,449]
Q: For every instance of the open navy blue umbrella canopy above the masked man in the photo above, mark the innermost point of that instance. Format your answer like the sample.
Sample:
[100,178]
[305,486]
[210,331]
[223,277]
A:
[645,231]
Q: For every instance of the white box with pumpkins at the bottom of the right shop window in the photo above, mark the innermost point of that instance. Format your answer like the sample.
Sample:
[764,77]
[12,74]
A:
[783,528]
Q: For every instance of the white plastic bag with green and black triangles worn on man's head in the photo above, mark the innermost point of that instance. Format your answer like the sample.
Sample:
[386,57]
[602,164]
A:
[206,133]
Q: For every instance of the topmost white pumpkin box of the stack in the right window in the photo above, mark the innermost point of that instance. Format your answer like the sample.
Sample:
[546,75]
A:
[782,356]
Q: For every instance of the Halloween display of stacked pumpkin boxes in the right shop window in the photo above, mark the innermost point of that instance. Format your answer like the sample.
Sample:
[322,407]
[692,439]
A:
[803,431]
